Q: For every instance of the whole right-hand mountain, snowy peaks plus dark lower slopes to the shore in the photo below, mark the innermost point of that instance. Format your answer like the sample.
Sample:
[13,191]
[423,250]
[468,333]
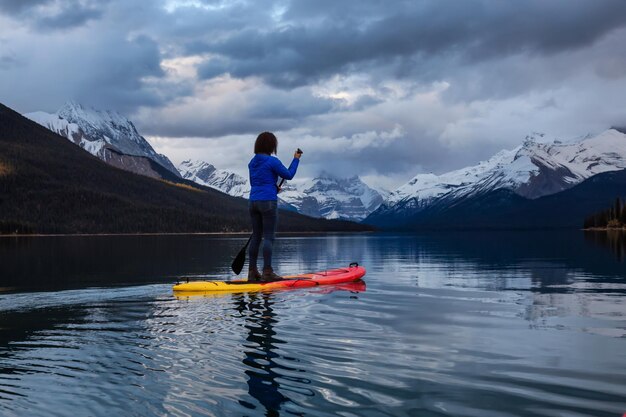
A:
[520,188]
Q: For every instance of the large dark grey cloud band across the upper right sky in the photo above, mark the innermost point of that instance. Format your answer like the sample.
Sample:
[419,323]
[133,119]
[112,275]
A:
[318,40]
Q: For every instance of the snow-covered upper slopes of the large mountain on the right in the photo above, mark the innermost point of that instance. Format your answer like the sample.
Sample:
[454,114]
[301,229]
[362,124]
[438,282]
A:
[532,170]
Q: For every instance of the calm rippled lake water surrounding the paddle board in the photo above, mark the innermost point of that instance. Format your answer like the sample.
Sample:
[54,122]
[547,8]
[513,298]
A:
[454,324]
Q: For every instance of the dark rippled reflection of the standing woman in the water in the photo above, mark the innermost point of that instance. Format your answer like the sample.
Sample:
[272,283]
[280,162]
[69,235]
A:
[260,354]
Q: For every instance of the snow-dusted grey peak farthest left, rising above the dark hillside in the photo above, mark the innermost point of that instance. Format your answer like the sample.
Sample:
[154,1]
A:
[107,135]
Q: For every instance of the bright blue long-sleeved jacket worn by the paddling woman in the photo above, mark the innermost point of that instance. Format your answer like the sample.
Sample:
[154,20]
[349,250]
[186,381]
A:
[264,172]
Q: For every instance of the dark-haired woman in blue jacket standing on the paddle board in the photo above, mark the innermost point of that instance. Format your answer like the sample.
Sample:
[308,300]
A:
[264,172]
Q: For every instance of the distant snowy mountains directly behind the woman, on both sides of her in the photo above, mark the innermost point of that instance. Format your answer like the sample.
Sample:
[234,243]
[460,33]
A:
[323,196]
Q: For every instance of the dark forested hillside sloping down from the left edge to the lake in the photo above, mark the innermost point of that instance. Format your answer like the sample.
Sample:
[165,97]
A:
[49,185]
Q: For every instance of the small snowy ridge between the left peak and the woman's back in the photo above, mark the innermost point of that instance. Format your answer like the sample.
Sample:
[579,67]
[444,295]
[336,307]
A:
[206,174]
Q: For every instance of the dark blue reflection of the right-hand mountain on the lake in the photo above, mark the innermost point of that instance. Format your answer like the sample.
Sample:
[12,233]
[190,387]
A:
[499,259]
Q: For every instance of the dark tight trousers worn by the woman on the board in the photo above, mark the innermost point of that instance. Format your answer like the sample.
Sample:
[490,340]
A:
[264,214]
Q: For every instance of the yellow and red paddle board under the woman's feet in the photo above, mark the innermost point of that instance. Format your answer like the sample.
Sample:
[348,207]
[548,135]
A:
[352,273]
